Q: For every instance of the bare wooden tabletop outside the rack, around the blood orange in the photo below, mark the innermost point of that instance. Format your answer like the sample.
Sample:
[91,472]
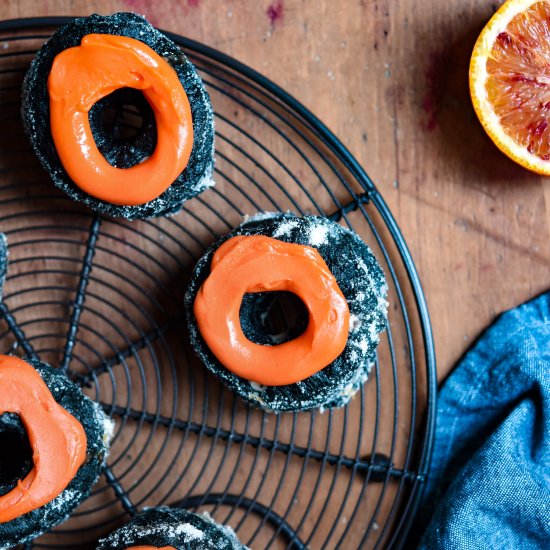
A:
[389,77]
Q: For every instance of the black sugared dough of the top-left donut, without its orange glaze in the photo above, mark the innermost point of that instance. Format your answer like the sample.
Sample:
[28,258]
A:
[121,152]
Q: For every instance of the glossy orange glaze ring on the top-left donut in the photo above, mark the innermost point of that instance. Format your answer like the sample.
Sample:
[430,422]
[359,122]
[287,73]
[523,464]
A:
[81,76]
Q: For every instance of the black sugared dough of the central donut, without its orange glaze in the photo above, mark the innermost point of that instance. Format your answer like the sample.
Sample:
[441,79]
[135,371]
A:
[361,281]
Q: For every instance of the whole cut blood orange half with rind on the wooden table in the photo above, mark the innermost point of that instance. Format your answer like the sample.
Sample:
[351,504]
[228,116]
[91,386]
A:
[510,81]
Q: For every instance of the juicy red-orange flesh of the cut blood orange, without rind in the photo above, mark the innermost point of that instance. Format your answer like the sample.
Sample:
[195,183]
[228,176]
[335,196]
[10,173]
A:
[518,83]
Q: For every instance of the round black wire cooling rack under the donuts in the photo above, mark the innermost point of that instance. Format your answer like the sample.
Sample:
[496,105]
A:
[102,299]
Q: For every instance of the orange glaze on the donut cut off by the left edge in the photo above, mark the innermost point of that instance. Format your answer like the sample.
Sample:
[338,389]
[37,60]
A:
[57,439]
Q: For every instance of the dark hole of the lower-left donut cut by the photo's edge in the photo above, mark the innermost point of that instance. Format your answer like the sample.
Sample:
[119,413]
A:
[15,452]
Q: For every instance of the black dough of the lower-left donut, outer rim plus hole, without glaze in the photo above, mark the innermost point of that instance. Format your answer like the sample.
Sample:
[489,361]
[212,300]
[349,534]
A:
[98,428]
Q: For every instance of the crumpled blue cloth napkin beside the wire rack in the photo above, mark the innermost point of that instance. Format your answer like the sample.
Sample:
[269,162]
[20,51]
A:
[489,484]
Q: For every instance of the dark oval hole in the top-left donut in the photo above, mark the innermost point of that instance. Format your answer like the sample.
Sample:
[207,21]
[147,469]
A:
[124,127]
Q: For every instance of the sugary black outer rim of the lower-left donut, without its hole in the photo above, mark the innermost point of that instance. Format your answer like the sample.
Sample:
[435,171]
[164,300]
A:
[98,428]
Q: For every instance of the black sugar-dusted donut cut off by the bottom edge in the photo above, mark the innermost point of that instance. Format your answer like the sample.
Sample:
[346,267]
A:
[165,526]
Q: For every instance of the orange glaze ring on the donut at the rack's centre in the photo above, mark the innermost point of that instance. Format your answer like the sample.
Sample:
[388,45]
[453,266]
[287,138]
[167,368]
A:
[260,264]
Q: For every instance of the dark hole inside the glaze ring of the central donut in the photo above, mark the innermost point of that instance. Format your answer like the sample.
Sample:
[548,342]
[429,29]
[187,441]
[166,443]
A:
[272,318]
